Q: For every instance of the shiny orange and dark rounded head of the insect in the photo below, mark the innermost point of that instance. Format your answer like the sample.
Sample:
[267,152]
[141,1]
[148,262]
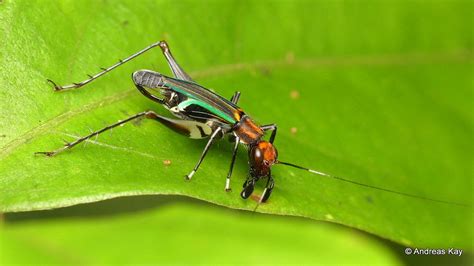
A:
[262,155]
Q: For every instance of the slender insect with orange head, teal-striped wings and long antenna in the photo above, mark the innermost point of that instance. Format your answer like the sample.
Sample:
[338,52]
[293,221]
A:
[202,113]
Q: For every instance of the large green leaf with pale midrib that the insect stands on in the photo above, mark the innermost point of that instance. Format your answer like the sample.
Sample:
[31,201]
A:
[385,99]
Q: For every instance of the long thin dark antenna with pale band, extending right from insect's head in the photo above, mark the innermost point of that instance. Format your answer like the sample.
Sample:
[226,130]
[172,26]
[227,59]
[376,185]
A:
[374,187]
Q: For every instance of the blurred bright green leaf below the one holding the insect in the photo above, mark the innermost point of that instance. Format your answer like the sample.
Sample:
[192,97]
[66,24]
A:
[205,236]
